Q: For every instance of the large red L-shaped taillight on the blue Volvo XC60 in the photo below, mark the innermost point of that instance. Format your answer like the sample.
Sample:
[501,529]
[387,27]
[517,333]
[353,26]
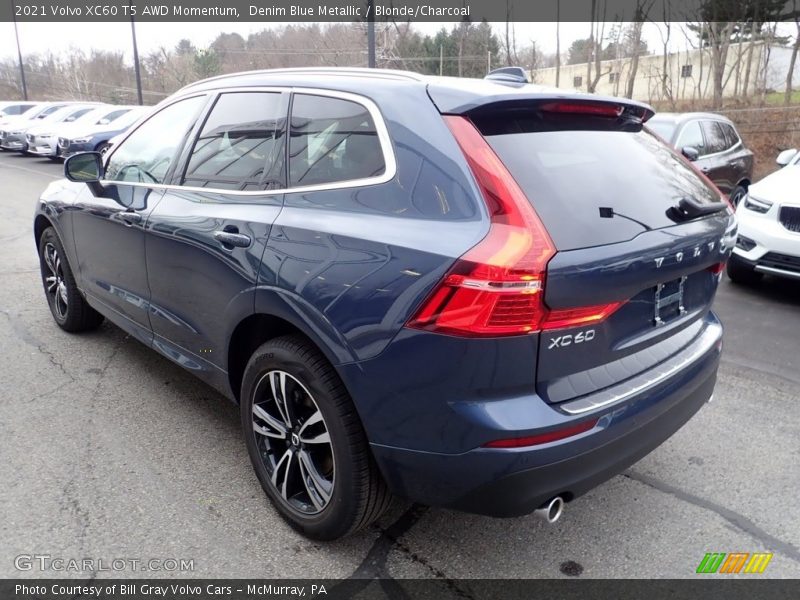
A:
[497,287]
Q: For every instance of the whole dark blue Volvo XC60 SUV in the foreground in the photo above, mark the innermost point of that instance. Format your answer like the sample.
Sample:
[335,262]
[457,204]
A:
[478,294]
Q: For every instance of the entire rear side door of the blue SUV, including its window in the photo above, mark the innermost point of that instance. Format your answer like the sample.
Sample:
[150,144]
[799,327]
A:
[204,248]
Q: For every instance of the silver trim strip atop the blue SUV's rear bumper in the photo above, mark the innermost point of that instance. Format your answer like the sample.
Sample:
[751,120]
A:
[653,377]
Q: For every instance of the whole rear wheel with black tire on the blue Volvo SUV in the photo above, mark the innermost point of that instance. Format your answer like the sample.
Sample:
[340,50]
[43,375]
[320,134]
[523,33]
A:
[357,495]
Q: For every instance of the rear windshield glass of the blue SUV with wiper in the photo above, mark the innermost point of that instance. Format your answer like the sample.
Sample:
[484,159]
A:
[595,187]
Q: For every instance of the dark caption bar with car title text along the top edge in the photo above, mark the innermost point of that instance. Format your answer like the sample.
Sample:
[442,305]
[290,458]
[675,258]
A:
[284,11]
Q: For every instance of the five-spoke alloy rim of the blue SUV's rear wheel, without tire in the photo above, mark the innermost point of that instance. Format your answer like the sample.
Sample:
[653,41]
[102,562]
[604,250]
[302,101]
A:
[293,442]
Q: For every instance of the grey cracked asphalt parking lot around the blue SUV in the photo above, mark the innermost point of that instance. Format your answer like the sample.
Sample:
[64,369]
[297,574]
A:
[110,451]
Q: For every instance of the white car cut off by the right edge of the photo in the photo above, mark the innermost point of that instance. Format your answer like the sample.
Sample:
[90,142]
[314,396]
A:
[769,225]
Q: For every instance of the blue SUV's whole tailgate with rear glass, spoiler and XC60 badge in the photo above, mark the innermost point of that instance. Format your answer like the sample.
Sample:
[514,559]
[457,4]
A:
[608,194]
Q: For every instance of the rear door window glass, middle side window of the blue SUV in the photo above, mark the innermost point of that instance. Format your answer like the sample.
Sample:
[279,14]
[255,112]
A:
[241,146]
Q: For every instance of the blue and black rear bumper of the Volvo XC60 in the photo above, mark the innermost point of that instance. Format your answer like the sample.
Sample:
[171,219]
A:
[512,482]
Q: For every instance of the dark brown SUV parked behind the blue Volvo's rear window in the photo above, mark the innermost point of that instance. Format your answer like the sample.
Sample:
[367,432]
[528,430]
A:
[713,144]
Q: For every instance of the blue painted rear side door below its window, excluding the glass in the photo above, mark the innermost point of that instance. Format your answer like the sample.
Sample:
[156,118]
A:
[201,283]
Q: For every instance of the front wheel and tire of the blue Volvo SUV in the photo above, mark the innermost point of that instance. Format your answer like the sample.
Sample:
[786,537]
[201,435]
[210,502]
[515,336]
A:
[68,307]
